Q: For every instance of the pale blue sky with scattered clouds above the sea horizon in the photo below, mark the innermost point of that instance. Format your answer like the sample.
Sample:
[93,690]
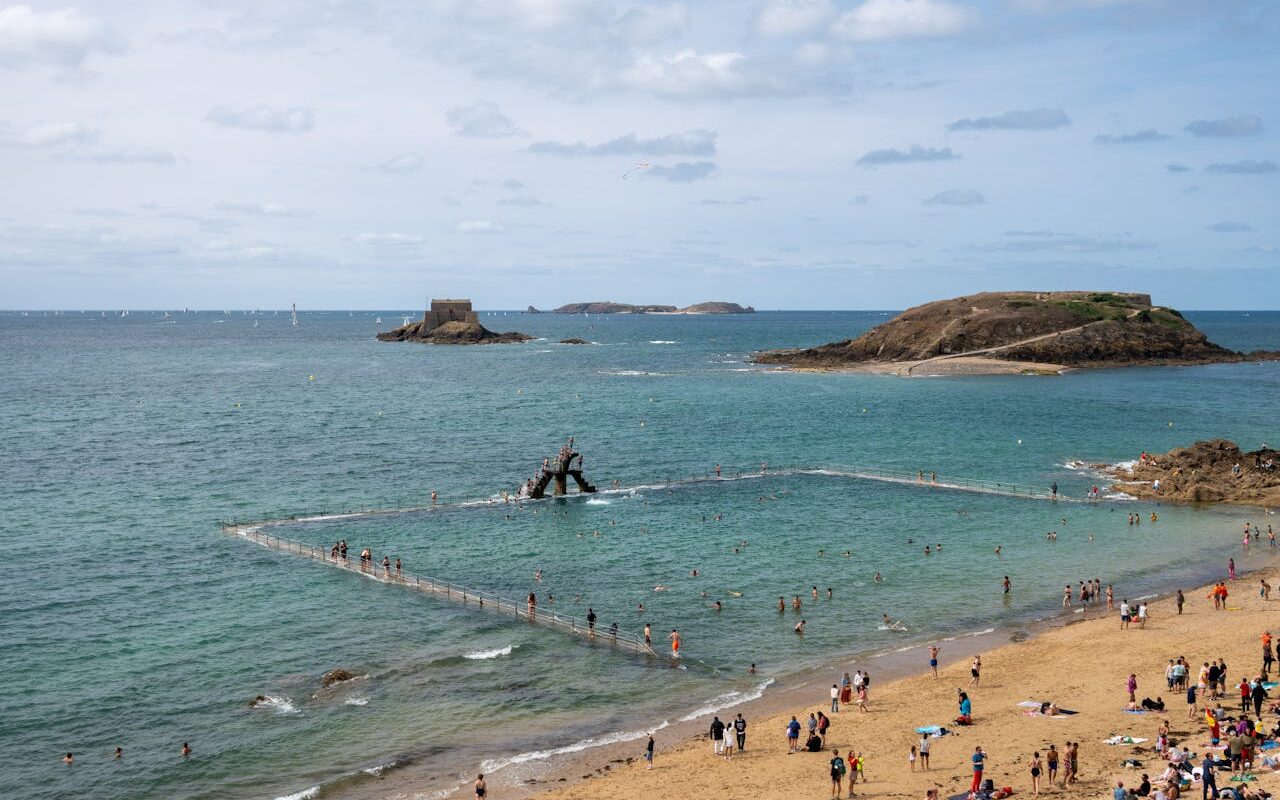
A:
[787,154]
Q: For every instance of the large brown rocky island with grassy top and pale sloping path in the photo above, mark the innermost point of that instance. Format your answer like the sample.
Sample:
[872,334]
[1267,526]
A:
[1020,333]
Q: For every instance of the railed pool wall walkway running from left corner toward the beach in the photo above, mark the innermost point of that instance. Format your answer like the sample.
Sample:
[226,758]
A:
[445,591]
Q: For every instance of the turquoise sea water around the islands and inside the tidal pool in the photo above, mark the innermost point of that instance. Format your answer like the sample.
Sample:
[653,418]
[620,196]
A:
[131,620]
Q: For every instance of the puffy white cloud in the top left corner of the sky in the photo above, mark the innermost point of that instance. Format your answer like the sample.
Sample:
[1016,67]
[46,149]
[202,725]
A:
[65,38]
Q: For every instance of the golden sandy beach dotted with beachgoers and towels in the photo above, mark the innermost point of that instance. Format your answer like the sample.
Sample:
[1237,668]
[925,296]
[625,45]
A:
[1082,666]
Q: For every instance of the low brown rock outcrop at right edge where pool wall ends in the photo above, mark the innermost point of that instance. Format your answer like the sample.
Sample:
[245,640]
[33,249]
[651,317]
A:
[1205,473]
